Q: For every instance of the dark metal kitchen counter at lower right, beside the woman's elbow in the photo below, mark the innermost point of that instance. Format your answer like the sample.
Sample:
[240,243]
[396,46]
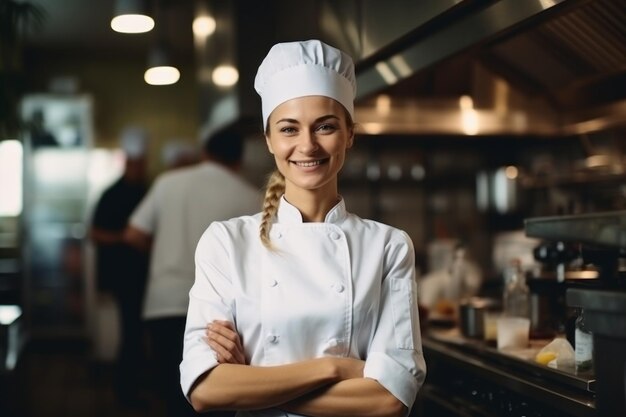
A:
[475,379]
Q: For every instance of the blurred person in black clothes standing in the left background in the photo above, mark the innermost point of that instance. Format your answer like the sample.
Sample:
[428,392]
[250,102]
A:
[122,269]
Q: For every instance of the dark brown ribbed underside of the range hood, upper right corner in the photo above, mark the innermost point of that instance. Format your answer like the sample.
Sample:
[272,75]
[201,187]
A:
[576,60]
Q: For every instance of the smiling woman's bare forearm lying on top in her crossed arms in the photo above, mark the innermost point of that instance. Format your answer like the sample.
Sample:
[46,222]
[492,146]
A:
[244,387]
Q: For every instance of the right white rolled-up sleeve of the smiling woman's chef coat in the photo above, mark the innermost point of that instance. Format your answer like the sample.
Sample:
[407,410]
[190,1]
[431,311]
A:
[395,357]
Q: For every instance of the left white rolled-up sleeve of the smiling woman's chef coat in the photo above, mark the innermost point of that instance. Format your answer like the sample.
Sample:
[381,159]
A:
[210,298]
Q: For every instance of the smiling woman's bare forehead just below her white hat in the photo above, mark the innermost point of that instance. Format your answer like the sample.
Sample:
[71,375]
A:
[306,108]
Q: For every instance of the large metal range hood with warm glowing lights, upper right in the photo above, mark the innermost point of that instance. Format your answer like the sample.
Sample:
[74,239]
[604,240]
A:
[548,68]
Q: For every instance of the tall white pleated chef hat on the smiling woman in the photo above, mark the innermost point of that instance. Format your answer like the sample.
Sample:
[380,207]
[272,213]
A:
[307,68]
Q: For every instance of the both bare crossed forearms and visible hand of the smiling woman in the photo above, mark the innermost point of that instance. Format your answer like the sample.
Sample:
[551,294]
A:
[335,391]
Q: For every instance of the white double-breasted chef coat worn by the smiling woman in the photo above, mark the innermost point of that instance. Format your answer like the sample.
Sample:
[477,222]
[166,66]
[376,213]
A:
[345,287]
